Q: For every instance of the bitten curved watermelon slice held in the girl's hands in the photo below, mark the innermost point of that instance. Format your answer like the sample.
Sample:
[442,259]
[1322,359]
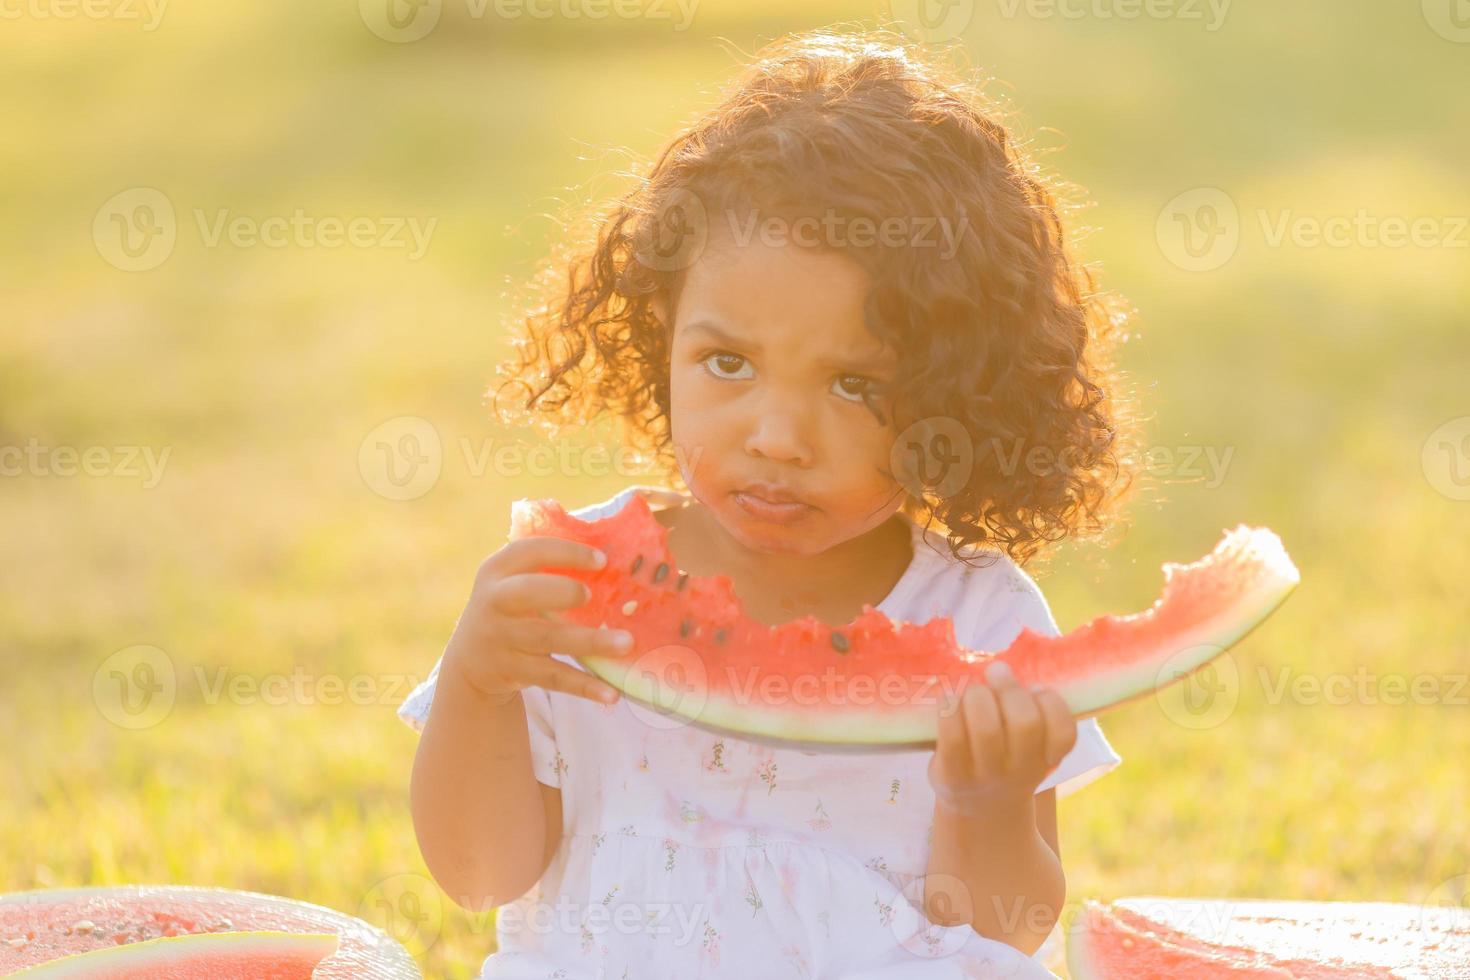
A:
[874,684]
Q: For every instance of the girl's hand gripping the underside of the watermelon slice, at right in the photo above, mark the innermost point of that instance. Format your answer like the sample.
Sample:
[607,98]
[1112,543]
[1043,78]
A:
[997,741]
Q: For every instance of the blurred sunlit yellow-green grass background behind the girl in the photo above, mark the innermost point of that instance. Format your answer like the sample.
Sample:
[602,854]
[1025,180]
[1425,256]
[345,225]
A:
[255,281]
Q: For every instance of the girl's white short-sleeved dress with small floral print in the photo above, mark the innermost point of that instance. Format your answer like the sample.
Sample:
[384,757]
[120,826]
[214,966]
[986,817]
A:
[687,854]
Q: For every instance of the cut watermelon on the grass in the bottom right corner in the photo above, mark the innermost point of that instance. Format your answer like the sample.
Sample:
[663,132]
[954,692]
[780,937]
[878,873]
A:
[1156,938]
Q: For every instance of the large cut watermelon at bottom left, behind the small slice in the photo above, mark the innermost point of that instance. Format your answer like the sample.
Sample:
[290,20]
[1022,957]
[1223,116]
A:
[42,926]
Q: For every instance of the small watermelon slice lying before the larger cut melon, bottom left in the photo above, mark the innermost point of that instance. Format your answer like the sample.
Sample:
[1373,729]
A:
[204,957]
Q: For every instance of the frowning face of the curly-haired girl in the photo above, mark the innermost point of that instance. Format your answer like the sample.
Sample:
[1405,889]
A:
[768,365]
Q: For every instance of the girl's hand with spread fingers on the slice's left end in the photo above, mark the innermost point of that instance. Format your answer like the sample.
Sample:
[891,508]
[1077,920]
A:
[511,625]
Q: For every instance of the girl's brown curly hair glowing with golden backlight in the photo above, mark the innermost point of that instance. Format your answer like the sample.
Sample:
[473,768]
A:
[1011,337]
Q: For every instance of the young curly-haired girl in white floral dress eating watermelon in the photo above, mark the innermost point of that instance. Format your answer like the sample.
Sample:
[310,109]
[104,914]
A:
[840,311]
